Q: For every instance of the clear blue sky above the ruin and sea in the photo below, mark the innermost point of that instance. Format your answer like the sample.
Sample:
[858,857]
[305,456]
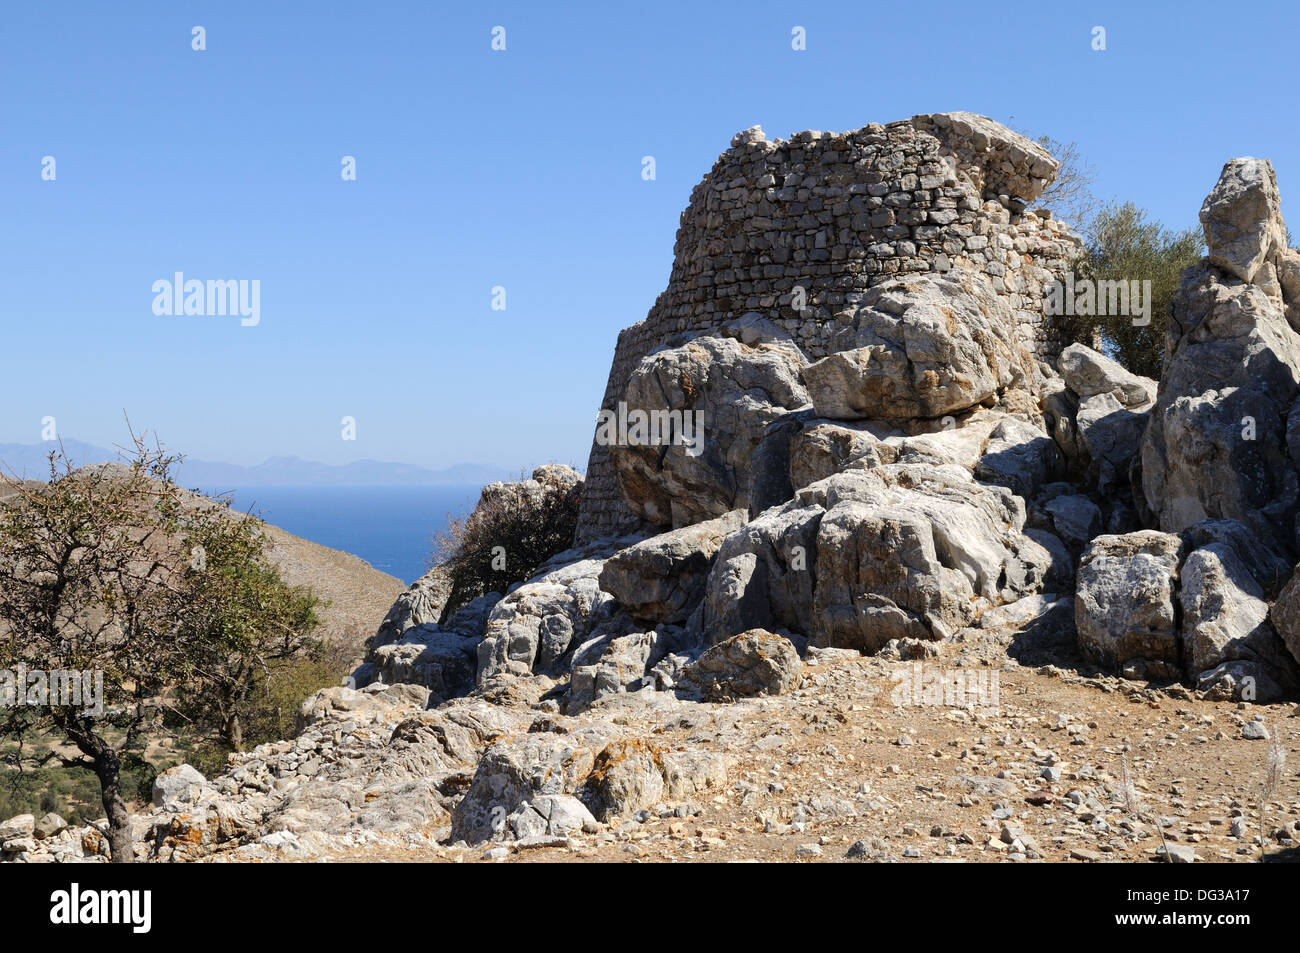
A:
[480,168]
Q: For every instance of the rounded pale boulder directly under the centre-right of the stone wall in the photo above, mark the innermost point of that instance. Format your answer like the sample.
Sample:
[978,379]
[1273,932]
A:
[921,346]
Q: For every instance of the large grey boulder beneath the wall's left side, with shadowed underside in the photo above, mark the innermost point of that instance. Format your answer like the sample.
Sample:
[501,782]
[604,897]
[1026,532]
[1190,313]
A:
[725,393]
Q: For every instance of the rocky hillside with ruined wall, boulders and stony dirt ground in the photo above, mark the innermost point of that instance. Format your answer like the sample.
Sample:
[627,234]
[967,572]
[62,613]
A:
[929,587]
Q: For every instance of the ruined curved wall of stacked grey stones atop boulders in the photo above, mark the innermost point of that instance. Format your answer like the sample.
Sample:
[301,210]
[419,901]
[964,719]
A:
[831,215]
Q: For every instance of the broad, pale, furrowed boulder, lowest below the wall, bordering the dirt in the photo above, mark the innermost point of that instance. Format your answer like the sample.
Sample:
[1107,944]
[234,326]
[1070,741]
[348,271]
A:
[868,556]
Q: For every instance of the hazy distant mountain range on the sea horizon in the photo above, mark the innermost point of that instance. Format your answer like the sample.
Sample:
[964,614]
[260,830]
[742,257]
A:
[31,461]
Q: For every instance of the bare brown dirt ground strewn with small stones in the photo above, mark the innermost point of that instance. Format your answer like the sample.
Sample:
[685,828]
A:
[838,770]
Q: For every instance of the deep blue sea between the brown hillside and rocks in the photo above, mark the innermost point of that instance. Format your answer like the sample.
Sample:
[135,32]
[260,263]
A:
[389,527]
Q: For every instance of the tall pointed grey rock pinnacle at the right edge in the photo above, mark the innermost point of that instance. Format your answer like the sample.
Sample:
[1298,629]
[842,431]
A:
[1217,447]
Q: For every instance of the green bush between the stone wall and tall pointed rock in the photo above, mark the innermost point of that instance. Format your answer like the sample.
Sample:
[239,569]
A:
[1124,245]
